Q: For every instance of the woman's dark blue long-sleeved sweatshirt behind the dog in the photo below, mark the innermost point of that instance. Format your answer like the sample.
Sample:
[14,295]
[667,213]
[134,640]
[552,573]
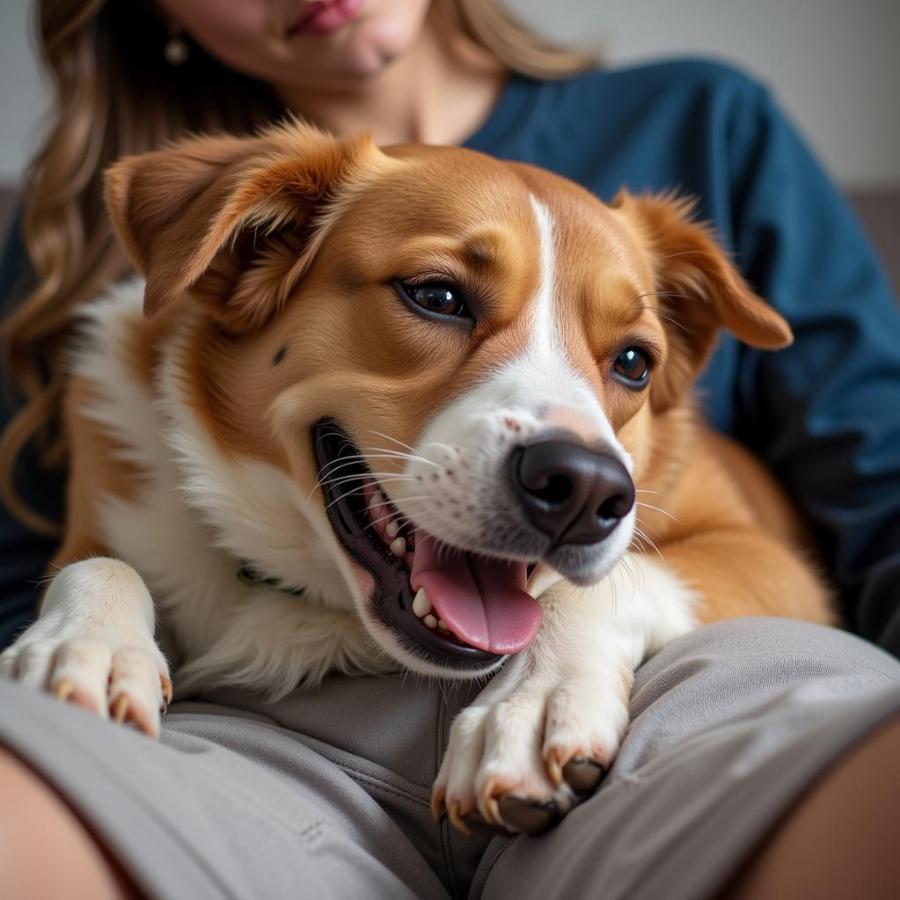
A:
[823,414]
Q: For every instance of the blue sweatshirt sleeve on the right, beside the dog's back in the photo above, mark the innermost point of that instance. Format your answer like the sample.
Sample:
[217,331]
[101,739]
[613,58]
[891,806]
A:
[824,413]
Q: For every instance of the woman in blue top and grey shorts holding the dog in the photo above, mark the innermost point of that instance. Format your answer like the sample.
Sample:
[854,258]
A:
[762,758]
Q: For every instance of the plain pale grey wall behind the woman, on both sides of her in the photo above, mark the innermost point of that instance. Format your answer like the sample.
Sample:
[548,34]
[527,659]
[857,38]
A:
[835,64]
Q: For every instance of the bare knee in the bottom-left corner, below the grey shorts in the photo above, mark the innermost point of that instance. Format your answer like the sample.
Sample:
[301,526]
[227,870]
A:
[45,851]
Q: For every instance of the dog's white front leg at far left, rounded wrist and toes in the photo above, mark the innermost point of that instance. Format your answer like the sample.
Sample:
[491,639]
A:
[93,645]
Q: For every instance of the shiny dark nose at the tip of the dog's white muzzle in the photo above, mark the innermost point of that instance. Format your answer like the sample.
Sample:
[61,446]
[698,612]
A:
[571,493]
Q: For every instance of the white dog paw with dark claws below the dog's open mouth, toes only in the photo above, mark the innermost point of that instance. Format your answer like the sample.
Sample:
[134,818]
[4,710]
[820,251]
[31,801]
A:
[521,762]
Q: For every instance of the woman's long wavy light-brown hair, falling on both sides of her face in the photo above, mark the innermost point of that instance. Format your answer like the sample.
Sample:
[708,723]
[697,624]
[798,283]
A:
[116,95]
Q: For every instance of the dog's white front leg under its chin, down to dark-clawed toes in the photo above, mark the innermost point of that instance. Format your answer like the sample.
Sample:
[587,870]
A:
[543,732]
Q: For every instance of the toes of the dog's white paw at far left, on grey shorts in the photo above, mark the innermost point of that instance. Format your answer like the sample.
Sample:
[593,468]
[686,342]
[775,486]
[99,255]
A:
[116,675]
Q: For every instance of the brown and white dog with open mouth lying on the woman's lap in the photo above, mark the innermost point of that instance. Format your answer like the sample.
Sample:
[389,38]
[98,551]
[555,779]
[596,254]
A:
[405,408]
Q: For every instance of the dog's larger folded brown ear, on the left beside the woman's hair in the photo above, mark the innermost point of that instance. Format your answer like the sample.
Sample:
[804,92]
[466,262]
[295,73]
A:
[234,220]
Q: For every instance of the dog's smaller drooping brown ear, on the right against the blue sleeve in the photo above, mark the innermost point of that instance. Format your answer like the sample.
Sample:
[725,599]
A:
[697,291]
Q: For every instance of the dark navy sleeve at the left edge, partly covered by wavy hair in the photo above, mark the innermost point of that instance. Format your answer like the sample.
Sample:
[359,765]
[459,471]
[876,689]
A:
[24,555]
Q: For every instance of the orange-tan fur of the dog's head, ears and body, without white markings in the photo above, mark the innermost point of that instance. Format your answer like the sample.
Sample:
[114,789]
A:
[288,243]
